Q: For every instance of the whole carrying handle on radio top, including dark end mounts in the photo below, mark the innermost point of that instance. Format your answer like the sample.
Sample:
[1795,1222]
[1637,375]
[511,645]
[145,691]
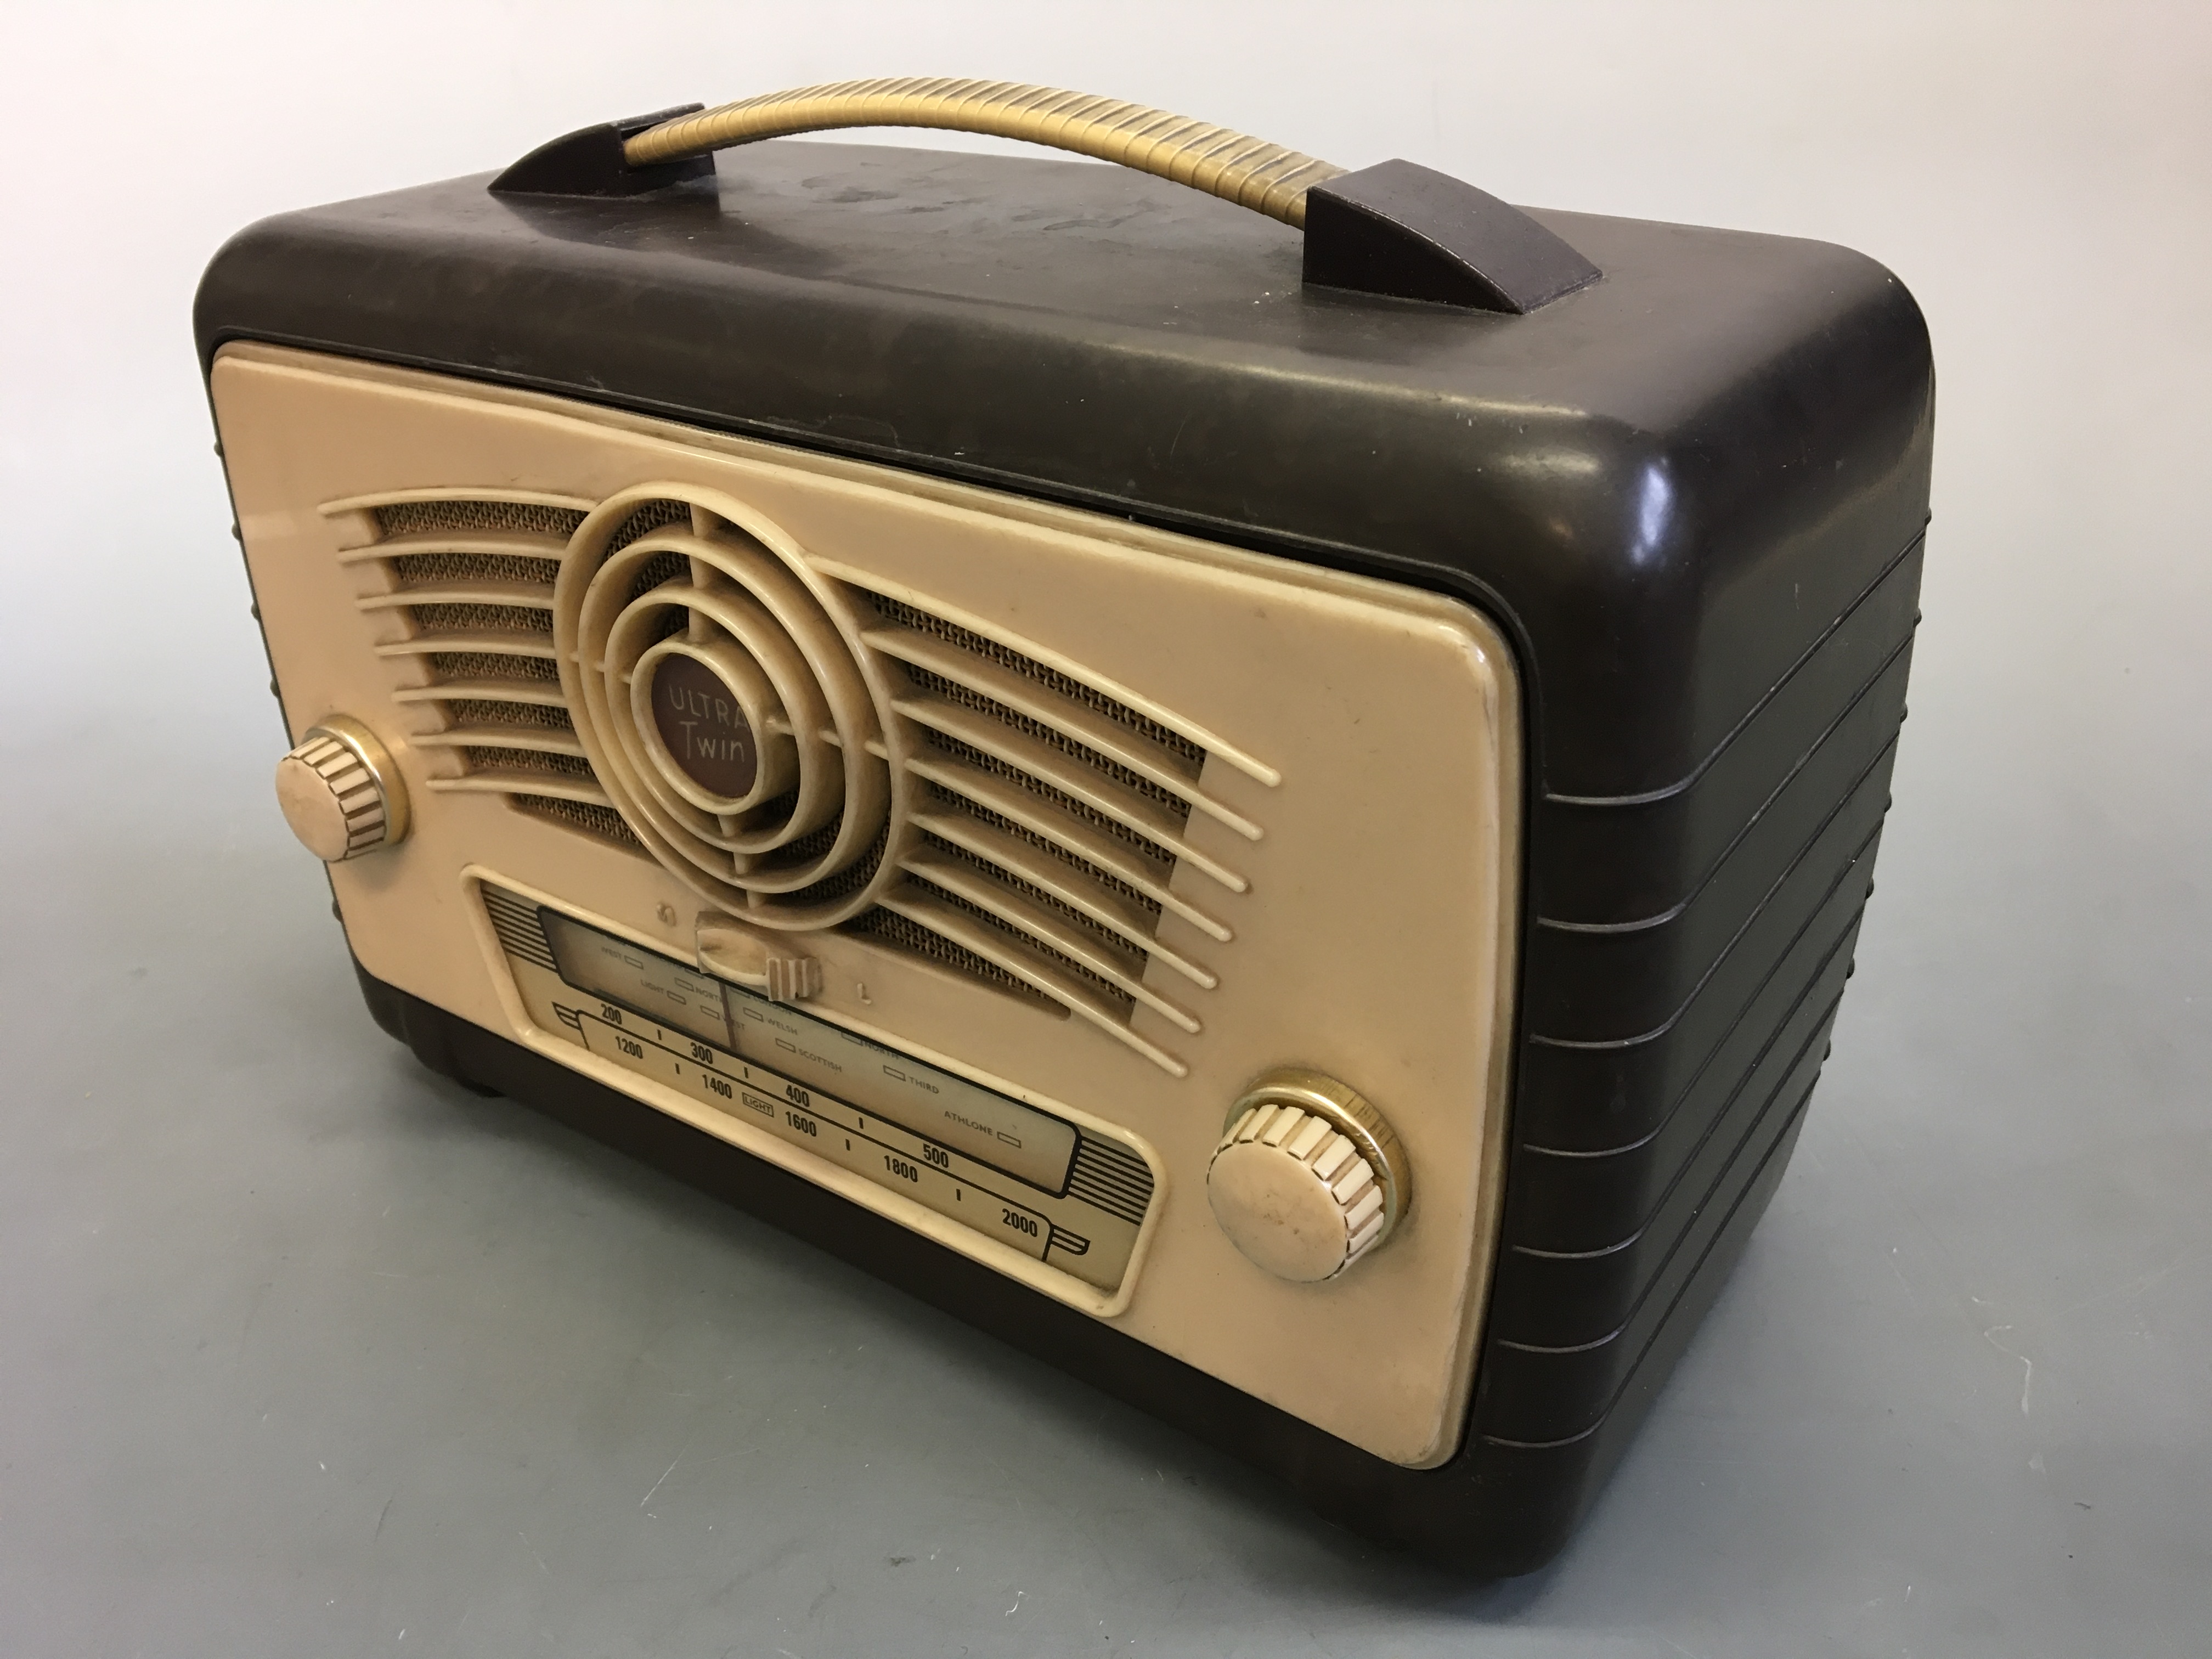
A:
[1392,229]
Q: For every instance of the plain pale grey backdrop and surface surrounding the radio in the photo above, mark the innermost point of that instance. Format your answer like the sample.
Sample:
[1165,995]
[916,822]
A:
[309,1353]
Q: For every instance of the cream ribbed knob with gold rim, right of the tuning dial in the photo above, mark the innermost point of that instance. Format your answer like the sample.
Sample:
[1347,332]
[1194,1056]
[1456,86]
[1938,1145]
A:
[1308,1178]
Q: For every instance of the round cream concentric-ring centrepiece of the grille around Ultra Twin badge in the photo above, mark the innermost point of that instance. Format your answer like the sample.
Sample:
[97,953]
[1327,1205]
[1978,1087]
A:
[709,634]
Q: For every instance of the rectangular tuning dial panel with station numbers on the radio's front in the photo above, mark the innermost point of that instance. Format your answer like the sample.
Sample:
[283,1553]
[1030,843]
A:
[983,1160]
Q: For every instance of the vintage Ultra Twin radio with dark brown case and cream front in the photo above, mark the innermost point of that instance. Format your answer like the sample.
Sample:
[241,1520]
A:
[1269,806]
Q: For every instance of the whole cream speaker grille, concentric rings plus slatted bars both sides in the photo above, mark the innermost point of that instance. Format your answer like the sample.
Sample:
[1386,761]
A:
[665,669]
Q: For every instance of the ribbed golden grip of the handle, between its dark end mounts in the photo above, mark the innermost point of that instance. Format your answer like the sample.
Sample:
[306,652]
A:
[1233,167]
